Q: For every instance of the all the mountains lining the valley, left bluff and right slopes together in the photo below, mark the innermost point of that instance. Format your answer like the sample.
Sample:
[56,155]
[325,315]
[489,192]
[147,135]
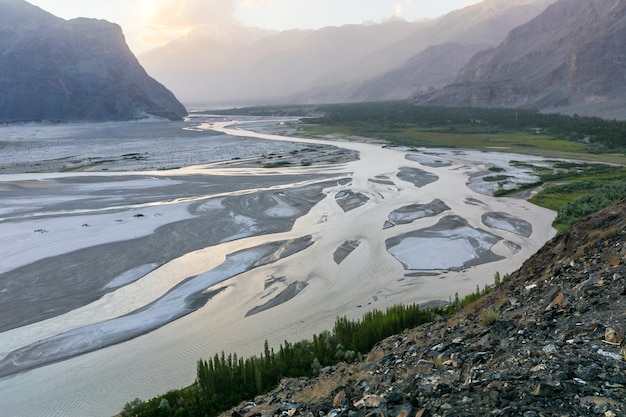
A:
[563,56]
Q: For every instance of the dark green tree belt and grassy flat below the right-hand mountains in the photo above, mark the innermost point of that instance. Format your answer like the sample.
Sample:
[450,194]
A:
[407,124]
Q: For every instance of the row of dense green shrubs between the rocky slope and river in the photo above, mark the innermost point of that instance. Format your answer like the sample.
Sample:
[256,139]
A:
[224,381]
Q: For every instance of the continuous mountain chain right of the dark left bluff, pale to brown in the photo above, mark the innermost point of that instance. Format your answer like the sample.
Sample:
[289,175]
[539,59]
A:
[563,56]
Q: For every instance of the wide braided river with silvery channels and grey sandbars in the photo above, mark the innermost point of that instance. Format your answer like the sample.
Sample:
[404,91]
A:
[131,250]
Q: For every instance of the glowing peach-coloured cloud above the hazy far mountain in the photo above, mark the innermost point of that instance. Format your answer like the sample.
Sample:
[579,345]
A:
[165,20]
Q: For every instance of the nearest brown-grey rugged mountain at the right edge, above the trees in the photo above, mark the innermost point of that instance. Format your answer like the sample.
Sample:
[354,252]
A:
[571,59]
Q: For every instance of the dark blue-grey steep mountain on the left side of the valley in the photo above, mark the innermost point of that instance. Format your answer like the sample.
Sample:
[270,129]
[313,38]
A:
[76,70]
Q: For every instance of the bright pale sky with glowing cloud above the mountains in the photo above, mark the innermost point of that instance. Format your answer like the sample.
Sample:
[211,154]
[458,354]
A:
[151,23]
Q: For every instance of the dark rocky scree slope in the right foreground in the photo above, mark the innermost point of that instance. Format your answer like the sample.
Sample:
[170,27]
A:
[556,347]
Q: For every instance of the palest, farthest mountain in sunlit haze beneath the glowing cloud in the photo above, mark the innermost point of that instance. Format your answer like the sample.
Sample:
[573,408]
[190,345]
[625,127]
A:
[201,69]
